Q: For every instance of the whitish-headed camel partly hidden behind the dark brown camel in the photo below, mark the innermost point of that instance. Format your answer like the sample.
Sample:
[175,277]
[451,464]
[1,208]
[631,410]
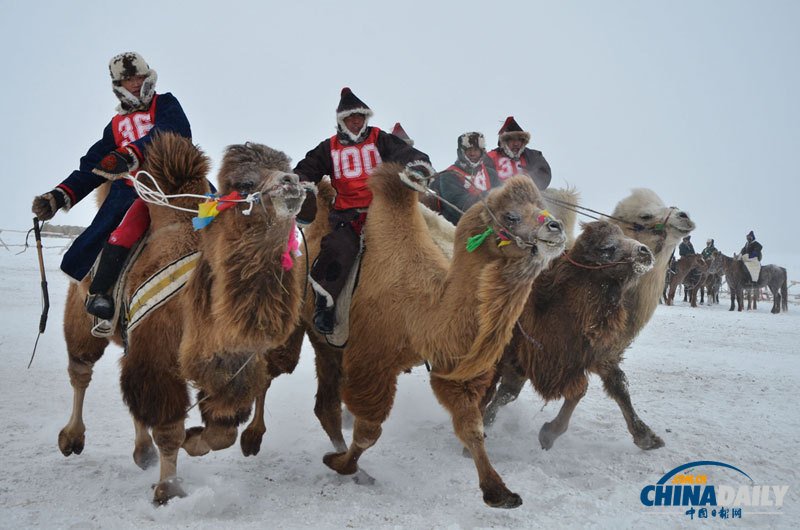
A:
[641,216]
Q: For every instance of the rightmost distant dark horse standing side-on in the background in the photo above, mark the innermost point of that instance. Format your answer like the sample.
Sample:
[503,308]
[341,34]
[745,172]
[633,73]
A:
[772,276]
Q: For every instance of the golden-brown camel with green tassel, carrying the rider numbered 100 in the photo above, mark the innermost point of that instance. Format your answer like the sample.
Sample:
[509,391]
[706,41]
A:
[411,306]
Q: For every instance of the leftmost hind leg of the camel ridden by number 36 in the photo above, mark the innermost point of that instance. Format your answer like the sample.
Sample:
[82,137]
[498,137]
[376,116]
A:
[84,350]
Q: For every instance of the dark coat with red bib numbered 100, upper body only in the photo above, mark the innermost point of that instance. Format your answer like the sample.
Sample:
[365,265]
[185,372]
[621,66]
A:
[352,192]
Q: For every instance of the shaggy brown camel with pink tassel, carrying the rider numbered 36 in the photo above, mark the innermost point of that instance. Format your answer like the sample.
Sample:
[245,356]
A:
[253,316]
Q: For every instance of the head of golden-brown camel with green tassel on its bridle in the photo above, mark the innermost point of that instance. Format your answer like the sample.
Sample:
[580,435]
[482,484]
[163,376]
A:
[519,221]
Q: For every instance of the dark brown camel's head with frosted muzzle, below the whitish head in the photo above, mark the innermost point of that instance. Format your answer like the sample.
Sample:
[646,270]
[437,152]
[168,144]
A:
[603,246]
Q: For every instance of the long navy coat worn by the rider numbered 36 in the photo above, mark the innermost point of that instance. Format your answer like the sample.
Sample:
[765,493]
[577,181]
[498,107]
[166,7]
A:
[167,116]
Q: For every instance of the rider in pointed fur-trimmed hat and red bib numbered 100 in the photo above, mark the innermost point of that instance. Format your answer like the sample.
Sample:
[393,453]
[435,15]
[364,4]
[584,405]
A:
[349,157]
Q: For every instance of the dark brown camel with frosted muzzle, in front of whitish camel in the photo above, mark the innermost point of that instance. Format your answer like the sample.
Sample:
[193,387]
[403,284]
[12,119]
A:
[572,321]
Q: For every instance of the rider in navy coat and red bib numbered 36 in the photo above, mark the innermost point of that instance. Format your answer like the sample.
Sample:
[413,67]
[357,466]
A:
[120,151]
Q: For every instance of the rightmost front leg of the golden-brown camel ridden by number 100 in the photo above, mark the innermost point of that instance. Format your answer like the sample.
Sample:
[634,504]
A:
[462,400]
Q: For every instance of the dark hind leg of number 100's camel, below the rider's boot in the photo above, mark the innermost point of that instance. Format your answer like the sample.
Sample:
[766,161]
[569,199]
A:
[328,404]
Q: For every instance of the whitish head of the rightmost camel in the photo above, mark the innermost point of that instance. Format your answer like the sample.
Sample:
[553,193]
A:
[643,216]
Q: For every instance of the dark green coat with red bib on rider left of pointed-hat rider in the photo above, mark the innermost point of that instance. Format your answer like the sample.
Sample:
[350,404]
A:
[453,185]
